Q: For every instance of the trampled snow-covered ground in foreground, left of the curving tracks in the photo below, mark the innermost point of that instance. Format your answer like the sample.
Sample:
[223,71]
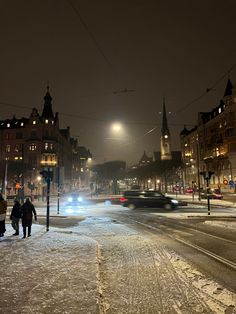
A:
[96,263]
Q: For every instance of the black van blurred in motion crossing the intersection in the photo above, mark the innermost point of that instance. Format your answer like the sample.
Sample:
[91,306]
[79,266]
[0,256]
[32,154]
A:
[135,199]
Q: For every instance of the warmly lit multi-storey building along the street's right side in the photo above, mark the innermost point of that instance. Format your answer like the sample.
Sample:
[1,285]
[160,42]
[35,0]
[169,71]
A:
[211,144]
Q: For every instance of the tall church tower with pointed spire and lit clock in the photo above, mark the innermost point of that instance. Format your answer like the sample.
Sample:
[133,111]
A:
[165,137]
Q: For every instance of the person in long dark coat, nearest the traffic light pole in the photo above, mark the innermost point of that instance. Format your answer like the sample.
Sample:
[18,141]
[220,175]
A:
[27,211]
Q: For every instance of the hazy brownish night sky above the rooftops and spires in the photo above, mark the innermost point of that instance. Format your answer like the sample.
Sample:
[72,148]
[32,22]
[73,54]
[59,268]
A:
[94,54]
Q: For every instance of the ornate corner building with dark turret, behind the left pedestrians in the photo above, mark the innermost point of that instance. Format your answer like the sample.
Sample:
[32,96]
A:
[27,145]
